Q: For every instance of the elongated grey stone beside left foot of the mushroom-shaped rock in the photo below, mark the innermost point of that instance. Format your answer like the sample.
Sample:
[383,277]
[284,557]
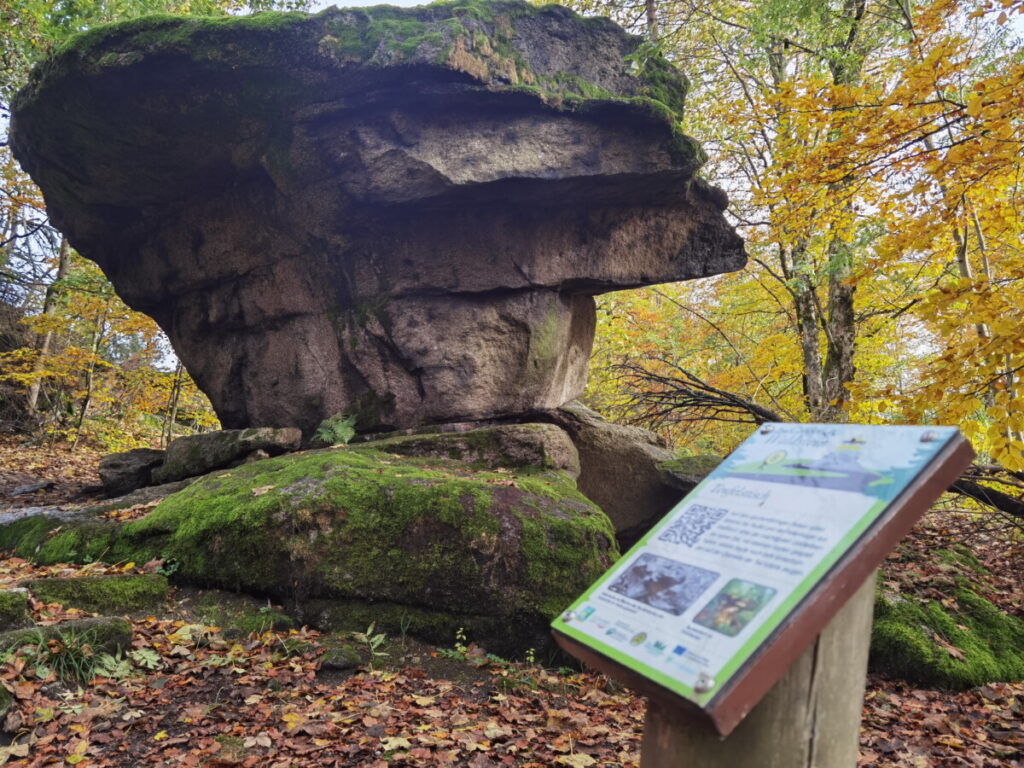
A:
[199,454]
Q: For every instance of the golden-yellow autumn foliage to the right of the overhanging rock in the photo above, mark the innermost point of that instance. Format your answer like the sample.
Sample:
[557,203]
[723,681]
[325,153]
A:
[890,170]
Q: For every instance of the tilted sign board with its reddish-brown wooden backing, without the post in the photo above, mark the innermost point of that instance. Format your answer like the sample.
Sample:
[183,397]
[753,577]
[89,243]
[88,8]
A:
[766,549]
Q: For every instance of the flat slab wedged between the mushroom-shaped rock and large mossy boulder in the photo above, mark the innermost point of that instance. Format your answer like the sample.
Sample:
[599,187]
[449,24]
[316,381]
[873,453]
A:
[508,446]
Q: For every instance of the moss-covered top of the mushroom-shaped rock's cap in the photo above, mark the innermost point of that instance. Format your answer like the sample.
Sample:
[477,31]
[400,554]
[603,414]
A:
[500,45]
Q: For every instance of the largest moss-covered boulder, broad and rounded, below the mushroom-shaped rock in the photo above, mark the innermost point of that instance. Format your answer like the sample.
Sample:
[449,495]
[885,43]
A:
[432,543]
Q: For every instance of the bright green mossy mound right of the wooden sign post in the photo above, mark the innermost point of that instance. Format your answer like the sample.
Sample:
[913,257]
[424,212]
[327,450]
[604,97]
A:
[960,643]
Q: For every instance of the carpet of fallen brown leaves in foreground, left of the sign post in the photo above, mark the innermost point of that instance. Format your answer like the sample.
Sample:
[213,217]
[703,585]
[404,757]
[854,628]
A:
[201,701]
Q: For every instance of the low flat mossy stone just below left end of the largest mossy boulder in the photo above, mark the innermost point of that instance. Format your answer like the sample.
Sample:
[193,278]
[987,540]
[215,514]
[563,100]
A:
[107,594]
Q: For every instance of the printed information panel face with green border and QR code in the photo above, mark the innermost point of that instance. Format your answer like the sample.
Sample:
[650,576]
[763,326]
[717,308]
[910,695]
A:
[694,601]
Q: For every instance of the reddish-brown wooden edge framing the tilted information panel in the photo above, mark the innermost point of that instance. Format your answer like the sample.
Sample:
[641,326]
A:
[726,707]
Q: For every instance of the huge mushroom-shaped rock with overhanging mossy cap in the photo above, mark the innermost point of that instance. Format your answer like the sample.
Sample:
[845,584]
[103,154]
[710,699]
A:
[399,214]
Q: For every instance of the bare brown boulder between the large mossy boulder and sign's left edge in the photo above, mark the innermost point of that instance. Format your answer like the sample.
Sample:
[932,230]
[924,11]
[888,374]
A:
[619,471]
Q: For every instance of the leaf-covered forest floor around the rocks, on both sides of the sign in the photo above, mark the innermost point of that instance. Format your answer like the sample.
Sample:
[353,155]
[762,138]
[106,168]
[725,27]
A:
[191,695]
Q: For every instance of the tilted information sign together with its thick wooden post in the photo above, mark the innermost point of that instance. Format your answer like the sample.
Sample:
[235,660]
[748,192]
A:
[763,575]
